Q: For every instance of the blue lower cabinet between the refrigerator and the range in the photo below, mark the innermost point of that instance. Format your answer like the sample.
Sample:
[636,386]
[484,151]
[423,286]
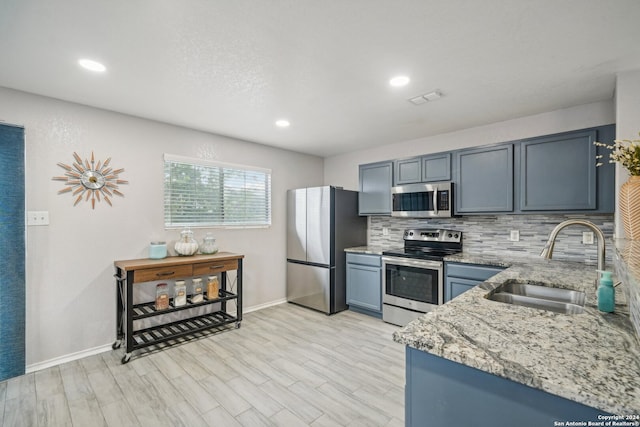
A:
[364,283]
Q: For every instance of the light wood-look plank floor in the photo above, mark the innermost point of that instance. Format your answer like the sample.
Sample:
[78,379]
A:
[286,366]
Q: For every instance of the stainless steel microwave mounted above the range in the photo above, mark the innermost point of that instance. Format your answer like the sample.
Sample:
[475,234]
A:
[422,200]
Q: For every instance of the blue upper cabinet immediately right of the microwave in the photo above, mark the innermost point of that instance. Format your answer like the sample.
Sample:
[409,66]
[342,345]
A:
[484,180]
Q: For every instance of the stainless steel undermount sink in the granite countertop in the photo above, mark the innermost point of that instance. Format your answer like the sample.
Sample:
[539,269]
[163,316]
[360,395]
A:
[559,300]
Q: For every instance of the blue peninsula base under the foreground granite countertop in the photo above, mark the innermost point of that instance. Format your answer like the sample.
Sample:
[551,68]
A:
[440,392]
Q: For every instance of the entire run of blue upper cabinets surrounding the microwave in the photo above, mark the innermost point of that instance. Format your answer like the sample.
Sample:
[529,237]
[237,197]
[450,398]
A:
[547,174]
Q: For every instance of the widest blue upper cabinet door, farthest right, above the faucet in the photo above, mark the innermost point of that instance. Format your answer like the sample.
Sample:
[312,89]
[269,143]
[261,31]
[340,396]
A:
[558,172]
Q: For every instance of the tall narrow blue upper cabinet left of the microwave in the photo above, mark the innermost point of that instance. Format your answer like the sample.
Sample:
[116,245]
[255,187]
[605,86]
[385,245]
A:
[376,180]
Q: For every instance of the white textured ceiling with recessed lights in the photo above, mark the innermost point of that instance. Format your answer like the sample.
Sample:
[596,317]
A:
[234,67]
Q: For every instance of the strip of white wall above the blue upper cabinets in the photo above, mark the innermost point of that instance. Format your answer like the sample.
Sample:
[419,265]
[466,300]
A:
[343,169]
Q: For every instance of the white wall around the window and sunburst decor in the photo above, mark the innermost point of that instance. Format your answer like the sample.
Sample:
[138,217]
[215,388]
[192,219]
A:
[70,301]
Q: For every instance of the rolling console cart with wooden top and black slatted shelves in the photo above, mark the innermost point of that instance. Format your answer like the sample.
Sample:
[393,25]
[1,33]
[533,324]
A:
[132,272]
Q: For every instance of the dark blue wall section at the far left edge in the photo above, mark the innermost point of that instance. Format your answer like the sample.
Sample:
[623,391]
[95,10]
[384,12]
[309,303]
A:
[12,248]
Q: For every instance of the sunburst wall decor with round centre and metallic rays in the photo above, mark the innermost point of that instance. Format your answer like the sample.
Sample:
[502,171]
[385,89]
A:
[90,181]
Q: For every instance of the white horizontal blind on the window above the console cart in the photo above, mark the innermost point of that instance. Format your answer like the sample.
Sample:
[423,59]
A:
[204,193]
